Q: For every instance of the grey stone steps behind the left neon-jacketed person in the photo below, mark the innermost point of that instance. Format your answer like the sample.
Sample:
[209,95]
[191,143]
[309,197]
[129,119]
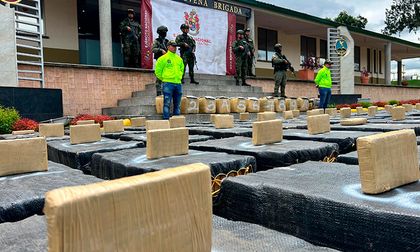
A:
[142,103]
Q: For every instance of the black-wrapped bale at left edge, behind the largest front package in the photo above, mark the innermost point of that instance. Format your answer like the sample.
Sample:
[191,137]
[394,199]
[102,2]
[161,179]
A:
[22,195]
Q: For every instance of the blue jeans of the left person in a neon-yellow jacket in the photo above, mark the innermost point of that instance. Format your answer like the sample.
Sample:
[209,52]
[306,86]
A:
[171,91]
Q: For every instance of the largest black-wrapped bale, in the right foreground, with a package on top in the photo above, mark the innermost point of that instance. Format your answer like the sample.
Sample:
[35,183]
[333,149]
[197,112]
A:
[323,204]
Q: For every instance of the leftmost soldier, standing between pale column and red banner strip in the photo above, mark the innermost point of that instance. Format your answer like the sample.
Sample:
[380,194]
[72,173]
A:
[130,31]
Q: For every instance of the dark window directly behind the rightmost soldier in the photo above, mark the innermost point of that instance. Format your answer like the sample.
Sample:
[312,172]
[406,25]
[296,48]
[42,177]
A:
[266,41]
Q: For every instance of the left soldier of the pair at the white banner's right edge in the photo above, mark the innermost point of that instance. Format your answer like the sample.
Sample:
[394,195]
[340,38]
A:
[241,50]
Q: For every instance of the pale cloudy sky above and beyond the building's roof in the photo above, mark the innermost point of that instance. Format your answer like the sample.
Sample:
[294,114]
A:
[373,10]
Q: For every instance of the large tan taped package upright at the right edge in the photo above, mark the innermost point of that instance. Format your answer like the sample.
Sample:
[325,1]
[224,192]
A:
[387,160]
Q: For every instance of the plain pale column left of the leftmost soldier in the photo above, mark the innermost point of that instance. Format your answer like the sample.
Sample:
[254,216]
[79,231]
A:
[105,30]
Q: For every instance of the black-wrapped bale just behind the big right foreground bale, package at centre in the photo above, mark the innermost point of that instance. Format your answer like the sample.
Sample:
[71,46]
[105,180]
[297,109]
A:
[268,156]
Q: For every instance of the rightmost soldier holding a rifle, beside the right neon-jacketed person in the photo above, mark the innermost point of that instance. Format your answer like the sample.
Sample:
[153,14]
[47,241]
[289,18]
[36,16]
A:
[281,64]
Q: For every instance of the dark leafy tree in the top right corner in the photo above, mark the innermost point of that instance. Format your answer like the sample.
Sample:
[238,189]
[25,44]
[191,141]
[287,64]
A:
[402,14]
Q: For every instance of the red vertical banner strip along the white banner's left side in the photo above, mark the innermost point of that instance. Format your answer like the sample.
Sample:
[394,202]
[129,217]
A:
[147,34]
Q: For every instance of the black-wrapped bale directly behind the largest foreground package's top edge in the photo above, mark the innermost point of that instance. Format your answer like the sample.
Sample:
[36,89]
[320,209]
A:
[131,162]
